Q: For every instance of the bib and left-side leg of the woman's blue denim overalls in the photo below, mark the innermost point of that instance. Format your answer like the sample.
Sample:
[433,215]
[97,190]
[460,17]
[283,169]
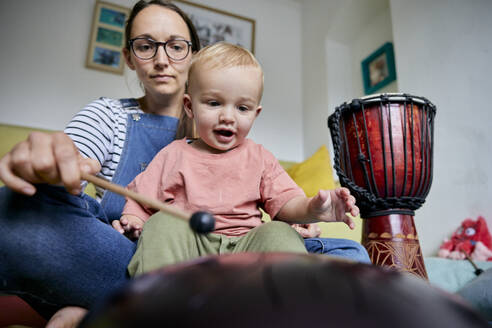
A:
[58,249]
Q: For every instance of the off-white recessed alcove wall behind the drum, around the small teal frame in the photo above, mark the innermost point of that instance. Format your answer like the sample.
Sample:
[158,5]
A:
[337,35]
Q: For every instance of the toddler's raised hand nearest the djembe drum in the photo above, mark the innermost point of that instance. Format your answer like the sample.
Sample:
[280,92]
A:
[332,206]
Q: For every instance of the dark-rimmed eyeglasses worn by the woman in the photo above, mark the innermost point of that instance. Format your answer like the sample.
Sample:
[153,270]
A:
[145,48]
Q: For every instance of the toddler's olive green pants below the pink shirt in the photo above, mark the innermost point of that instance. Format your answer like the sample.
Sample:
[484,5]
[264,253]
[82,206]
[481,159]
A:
[166,240]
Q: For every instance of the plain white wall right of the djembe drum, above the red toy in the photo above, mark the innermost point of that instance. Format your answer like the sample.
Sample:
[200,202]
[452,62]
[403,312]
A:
[443,51]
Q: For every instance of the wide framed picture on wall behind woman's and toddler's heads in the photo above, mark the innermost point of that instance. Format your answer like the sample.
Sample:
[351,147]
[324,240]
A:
[214,25]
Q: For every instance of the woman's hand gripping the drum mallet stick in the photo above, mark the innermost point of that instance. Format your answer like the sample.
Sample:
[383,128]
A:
[45,158]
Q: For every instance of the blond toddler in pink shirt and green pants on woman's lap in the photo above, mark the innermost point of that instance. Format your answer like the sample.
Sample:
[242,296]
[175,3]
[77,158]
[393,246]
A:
[225,173]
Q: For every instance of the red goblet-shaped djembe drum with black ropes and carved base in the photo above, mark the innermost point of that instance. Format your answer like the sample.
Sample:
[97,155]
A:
[383,154]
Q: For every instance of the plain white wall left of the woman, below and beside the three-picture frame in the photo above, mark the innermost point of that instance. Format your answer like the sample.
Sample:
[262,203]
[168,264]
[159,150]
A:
[42,74]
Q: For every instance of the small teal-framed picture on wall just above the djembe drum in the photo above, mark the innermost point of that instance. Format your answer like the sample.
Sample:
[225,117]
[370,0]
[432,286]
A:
[378,69]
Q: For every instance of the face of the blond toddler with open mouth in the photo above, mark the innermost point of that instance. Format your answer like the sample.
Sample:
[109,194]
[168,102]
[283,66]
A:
[224,103]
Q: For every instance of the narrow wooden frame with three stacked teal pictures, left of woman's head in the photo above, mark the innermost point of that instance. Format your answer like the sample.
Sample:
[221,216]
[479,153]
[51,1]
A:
[107,38]
